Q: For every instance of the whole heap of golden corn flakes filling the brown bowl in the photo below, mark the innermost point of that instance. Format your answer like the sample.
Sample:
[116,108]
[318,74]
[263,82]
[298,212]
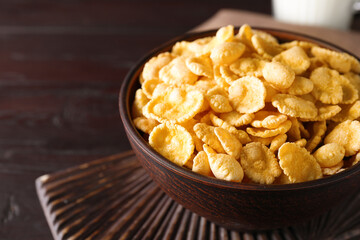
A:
[245,108]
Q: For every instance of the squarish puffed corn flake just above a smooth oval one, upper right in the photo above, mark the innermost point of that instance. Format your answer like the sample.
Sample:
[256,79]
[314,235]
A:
[295,58]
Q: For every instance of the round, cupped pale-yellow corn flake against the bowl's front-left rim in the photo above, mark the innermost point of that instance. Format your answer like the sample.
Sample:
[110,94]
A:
[173,142]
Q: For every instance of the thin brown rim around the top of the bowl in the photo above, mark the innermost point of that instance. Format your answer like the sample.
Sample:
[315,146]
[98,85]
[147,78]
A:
[125,115]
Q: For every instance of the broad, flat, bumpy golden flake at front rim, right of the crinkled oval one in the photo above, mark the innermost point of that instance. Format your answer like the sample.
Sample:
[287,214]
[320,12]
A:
[298,164]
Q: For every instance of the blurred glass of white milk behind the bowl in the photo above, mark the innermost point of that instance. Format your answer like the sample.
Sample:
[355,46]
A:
[325,13]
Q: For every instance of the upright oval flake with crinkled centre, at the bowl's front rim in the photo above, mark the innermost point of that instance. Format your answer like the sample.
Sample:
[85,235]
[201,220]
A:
[259,163]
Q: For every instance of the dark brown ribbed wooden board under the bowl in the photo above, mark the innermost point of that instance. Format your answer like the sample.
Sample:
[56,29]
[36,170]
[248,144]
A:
[113,198]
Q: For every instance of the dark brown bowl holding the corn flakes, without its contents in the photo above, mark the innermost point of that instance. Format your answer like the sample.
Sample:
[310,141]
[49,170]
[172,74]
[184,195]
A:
[238,206]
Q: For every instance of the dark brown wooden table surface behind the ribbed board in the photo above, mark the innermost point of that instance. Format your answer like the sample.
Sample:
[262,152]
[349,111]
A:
[61,67]
